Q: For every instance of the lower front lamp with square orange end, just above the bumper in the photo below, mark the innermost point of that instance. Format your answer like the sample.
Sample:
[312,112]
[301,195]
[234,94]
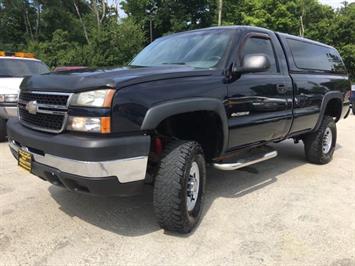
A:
[89,124]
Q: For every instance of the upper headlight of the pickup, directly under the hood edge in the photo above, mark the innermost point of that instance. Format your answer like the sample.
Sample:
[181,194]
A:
[98,98]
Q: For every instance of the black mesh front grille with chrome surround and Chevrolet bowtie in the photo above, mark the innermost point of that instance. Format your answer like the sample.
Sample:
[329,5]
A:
[50,112]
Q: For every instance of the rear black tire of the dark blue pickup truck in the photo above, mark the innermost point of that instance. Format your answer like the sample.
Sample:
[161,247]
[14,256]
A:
[313,142]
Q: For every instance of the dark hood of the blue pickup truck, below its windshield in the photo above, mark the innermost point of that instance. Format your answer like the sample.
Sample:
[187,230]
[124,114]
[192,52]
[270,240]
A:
[88,79]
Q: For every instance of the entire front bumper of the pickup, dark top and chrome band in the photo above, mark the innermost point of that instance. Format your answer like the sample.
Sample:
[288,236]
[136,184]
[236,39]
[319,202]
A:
[96,165]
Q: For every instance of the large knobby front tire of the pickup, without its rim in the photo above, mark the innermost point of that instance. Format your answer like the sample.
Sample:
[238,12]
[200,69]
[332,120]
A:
[170,188]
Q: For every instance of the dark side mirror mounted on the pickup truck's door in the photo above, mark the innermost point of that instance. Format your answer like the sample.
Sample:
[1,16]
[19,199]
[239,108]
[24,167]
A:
[252,63]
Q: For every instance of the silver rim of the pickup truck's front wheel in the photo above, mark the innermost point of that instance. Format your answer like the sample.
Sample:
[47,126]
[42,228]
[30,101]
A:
[193,187]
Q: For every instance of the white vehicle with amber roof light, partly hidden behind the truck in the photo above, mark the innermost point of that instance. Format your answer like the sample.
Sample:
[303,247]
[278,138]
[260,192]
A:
[13,68]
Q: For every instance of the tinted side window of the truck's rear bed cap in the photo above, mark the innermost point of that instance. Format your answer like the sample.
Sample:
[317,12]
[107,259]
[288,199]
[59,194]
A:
[312,56]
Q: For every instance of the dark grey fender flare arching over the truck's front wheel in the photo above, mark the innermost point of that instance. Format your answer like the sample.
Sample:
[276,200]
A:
[156,114]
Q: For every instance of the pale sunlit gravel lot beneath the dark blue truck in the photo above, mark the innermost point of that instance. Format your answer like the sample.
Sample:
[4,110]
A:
[280,212]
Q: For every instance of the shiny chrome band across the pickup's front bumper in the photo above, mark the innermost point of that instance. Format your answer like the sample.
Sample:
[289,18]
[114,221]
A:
[126,170]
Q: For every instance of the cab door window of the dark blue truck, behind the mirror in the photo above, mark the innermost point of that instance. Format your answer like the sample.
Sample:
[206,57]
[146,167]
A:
[257,45]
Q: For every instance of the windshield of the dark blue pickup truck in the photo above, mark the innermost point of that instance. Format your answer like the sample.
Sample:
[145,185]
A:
[203,49]
